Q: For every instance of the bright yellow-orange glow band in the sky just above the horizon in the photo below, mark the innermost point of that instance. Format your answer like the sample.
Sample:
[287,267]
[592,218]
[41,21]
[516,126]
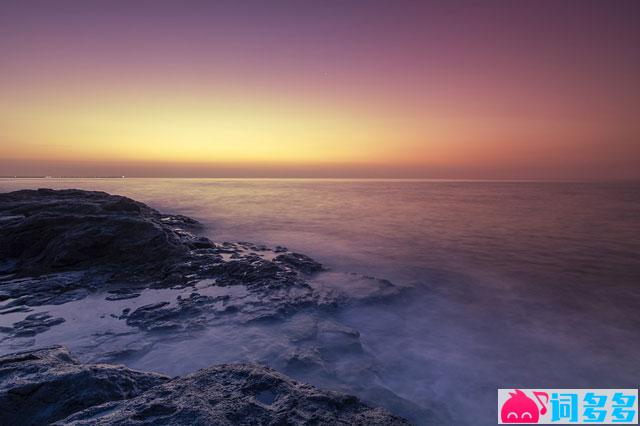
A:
[231,128]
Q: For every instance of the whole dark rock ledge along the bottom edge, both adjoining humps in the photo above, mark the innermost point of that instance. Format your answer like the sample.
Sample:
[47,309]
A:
[48,385]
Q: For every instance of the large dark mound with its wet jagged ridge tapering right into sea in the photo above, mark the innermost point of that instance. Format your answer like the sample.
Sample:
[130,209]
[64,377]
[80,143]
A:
[58,246]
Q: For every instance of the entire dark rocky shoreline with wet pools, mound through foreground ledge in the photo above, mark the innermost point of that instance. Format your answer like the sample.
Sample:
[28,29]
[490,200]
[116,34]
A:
[162,282]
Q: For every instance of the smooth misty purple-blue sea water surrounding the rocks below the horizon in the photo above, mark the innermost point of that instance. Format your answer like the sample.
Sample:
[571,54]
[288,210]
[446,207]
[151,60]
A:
[507,284]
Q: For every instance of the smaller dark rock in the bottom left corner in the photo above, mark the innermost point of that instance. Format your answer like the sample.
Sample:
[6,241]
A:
[43,386]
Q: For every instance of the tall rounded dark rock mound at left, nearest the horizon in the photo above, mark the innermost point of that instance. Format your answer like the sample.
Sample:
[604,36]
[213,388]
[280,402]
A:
[69,228]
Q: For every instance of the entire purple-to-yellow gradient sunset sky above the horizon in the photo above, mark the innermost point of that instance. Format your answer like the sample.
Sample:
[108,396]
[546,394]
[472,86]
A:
[450,89]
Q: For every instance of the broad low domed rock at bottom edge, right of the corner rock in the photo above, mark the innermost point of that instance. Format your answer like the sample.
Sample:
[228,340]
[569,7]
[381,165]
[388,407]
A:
[232,394]
